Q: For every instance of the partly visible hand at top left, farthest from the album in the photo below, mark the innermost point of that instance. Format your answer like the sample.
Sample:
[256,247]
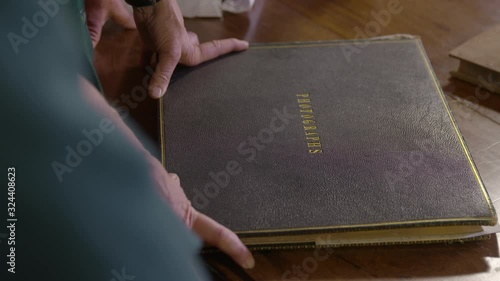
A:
[99,11]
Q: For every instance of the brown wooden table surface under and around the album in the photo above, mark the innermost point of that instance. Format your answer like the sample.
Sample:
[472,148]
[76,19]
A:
[442,26]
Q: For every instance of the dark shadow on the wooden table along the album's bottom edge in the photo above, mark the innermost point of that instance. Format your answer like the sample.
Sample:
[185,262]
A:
[360,263]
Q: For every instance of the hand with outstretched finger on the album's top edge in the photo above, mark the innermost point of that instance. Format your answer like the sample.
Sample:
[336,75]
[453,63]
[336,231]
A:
[162,30]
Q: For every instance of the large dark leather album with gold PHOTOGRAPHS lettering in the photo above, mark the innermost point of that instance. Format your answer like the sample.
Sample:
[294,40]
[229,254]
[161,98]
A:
[323,144]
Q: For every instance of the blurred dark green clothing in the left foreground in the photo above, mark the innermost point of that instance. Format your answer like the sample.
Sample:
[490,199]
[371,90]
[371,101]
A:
[103,219]
